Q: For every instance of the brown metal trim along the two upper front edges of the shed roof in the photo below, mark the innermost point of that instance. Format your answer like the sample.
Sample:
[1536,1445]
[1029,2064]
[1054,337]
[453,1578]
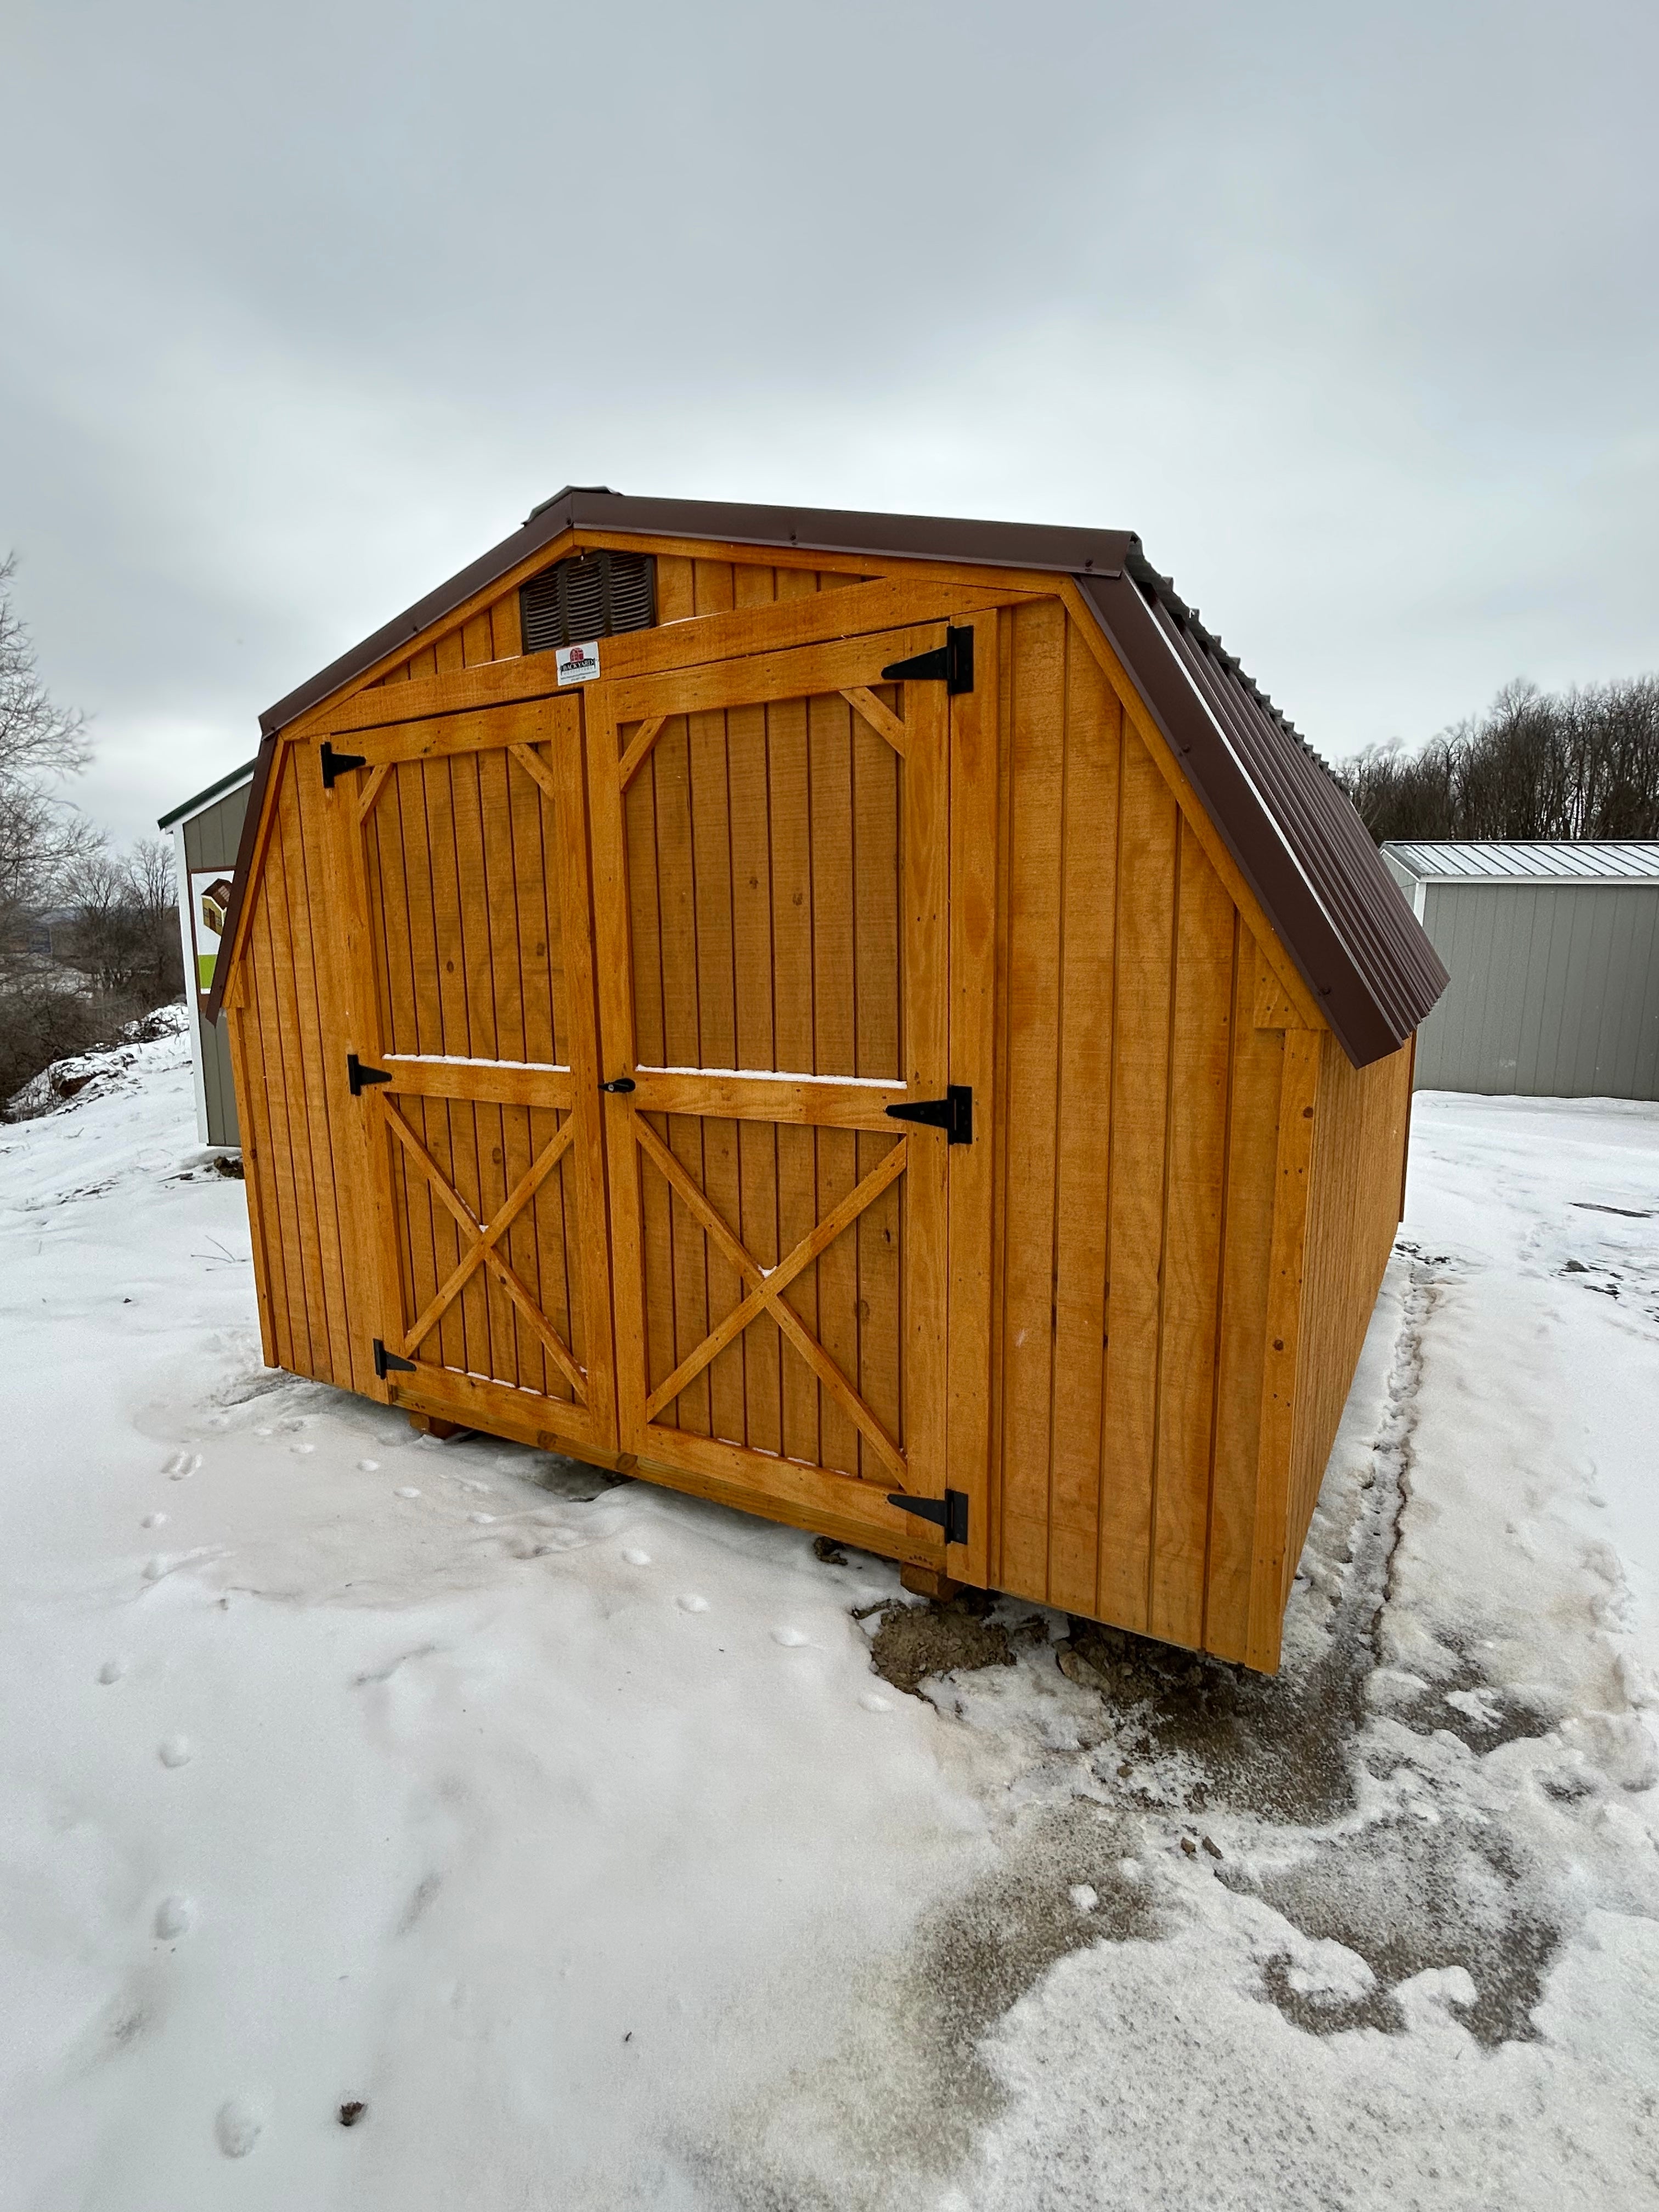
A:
[804,530]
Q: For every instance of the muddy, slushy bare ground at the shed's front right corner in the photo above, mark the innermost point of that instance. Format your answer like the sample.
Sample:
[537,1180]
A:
[1353,1797]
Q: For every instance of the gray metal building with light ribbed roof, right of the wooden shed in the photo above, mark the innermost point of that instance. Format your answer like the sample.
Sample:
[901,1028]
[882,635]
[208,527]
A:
[1554,957]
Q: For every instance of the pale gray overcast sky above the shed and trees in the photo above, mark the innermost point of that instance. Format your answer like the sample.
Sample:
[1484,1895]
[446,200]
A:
[1350,313]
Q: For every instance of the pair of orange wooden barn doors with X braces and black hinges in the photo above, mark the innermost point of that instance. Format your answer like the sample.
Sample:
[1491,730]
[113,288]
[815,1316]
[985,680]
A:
[638,972]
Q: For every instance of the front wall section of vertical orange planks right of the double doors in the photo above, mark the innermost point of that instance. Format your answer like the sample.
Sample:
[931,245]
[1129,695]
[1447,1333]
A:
[1136,1154]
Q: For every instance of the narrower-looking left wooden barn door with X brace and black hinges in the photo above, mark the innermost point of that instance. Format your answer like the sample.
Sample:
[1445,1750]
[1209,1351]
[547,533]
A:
[463,839]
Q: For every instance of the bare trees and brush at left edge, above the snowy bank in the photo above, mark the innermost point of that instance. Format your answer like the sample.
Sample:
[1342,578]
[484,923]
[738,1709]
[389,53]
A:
[90,939]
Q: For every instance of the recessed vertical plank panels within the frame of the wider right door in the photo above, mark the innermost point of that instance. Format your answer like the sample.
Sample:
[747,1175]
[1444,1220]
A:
[764,893]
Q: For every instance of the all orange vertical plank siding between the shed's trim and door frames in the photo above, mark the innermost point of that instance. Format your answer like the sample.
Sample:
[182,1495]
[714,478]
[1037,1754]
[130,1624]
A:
[1193,1196]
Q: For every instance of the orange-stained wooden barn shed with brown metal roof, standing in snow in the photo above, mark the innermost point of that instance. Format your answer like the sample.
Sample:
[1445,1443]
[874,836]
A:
[866,1019]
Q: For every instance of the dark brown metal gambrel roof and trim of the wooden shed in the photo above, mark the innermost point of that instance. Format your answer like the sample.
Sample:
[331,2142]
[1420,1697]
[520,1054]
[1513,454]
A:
[1284,817]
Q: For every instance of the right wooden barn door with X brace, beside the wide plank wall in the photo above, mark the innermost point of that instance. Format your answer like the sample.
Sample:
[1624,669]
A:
[773,866]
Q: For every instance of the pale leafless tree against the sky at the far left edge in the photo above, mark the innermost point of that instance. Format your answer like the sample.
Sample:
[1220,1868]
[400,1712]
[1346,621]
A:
[39,744]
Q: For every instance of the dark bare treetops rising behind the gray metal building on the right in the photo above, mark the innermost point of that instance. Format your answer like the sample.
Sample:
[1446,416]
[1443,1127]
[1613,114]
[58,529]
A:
[1576,764]
